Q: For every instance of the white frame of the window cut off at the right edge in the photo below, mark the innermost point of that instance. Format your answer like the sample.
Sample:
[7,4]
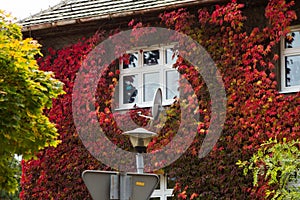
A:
[288,52]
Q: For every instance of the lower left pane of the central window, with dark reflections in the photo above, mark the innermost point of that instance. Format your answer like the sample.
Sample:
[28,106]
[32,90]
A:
[130,89]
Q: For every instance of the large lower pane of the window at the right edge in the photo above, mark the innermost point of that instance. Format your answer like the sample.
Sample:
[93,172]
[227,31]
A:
[292,71]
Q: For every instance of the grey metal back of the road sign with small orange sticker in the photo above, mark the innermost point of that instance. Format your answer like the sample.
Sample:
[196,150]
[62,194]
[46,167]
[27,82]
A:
[104,185]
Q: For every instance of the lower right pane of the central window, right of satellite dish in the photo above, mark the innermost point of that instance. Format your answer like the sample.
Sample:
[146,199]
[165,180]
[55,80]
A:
[172,84]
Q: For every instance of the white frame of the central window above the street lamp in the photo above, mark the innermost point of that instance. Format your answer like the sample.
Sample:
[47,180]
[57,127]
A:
[162,68]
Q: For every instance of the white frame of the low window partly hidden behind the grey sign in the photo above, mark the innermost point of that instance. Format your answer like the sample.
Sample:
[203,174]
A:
[163,192]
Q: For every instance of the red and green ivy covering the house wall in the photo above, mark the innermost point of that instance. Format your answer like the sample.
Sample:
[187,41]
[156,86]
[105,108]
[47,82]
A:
[246,56]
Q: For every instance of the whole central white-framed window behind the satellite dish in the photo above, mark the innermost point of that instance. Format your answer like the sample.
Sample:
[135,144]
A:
[142,72]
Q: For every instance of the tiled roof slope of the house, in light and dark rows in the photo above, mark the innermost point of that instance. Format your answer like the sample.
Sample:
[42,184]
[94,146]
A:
[78,9]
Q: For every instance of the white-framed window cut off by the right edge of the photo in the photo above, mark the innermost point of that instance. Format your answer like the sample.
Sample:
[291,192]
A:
[290,62]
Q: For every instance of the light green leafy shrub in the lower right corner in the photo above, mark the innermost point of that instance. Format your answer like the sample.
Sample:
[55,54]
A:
[279,164]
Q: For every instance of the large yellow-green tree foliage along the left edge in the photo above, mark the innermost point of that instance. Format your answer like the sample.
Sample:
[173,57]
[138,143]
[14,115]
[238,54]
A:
[25,92]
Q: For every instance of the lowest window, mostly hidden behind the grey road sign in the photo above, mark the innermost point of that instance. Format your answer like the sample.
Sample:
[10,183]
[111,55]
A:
[164,191]
